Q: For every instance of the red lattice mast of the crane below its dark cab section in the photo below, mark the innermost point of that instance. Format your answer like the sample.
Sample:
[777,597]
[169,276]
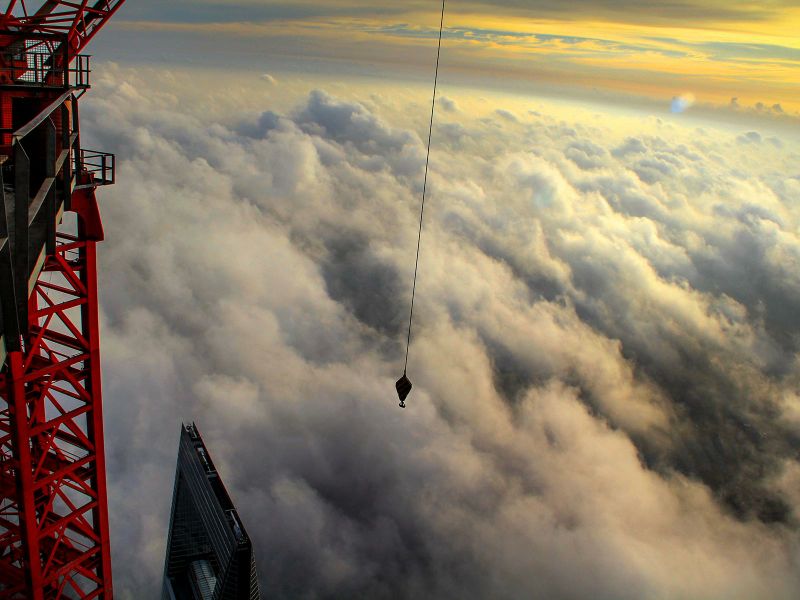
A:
[54,539]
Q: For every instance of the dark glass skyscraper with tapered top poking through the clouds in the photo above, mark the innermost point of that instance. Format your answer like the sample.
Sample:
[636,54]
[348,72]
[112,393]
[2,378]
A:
[209,555]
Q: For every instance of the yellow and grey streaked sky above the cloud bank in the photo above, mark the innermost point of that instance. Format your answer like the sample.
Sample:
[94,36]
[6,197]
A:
[736,54]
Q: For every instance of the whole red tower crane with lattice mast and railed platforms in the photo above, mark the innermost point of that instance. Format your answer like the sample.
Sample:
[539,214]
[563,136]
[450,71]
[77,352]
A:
[54,538]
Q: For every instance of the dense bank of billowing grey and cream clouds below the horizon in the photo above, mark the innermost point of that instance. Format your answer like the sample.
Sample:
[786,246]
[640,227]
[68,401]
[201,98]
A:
[605,401]
